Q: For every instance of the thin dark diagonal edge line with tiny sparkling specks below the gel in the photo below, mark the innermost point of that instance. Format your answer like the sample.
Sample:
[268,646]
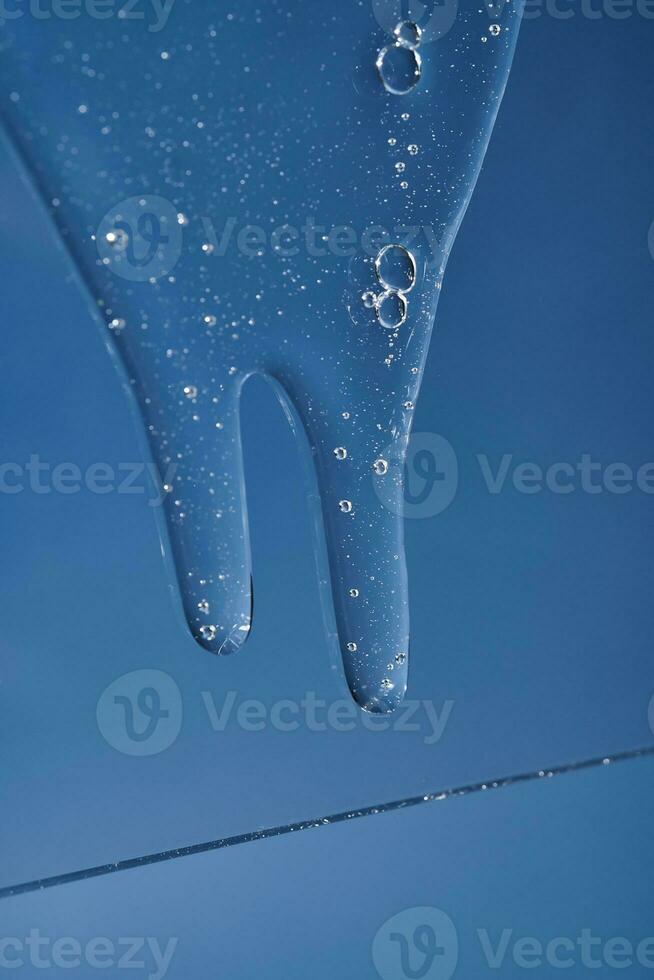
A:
[215,845]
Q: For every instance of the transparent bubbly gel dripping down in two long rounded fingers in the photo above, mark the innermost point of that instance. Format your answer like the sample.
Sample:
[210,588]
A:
[224,188]
